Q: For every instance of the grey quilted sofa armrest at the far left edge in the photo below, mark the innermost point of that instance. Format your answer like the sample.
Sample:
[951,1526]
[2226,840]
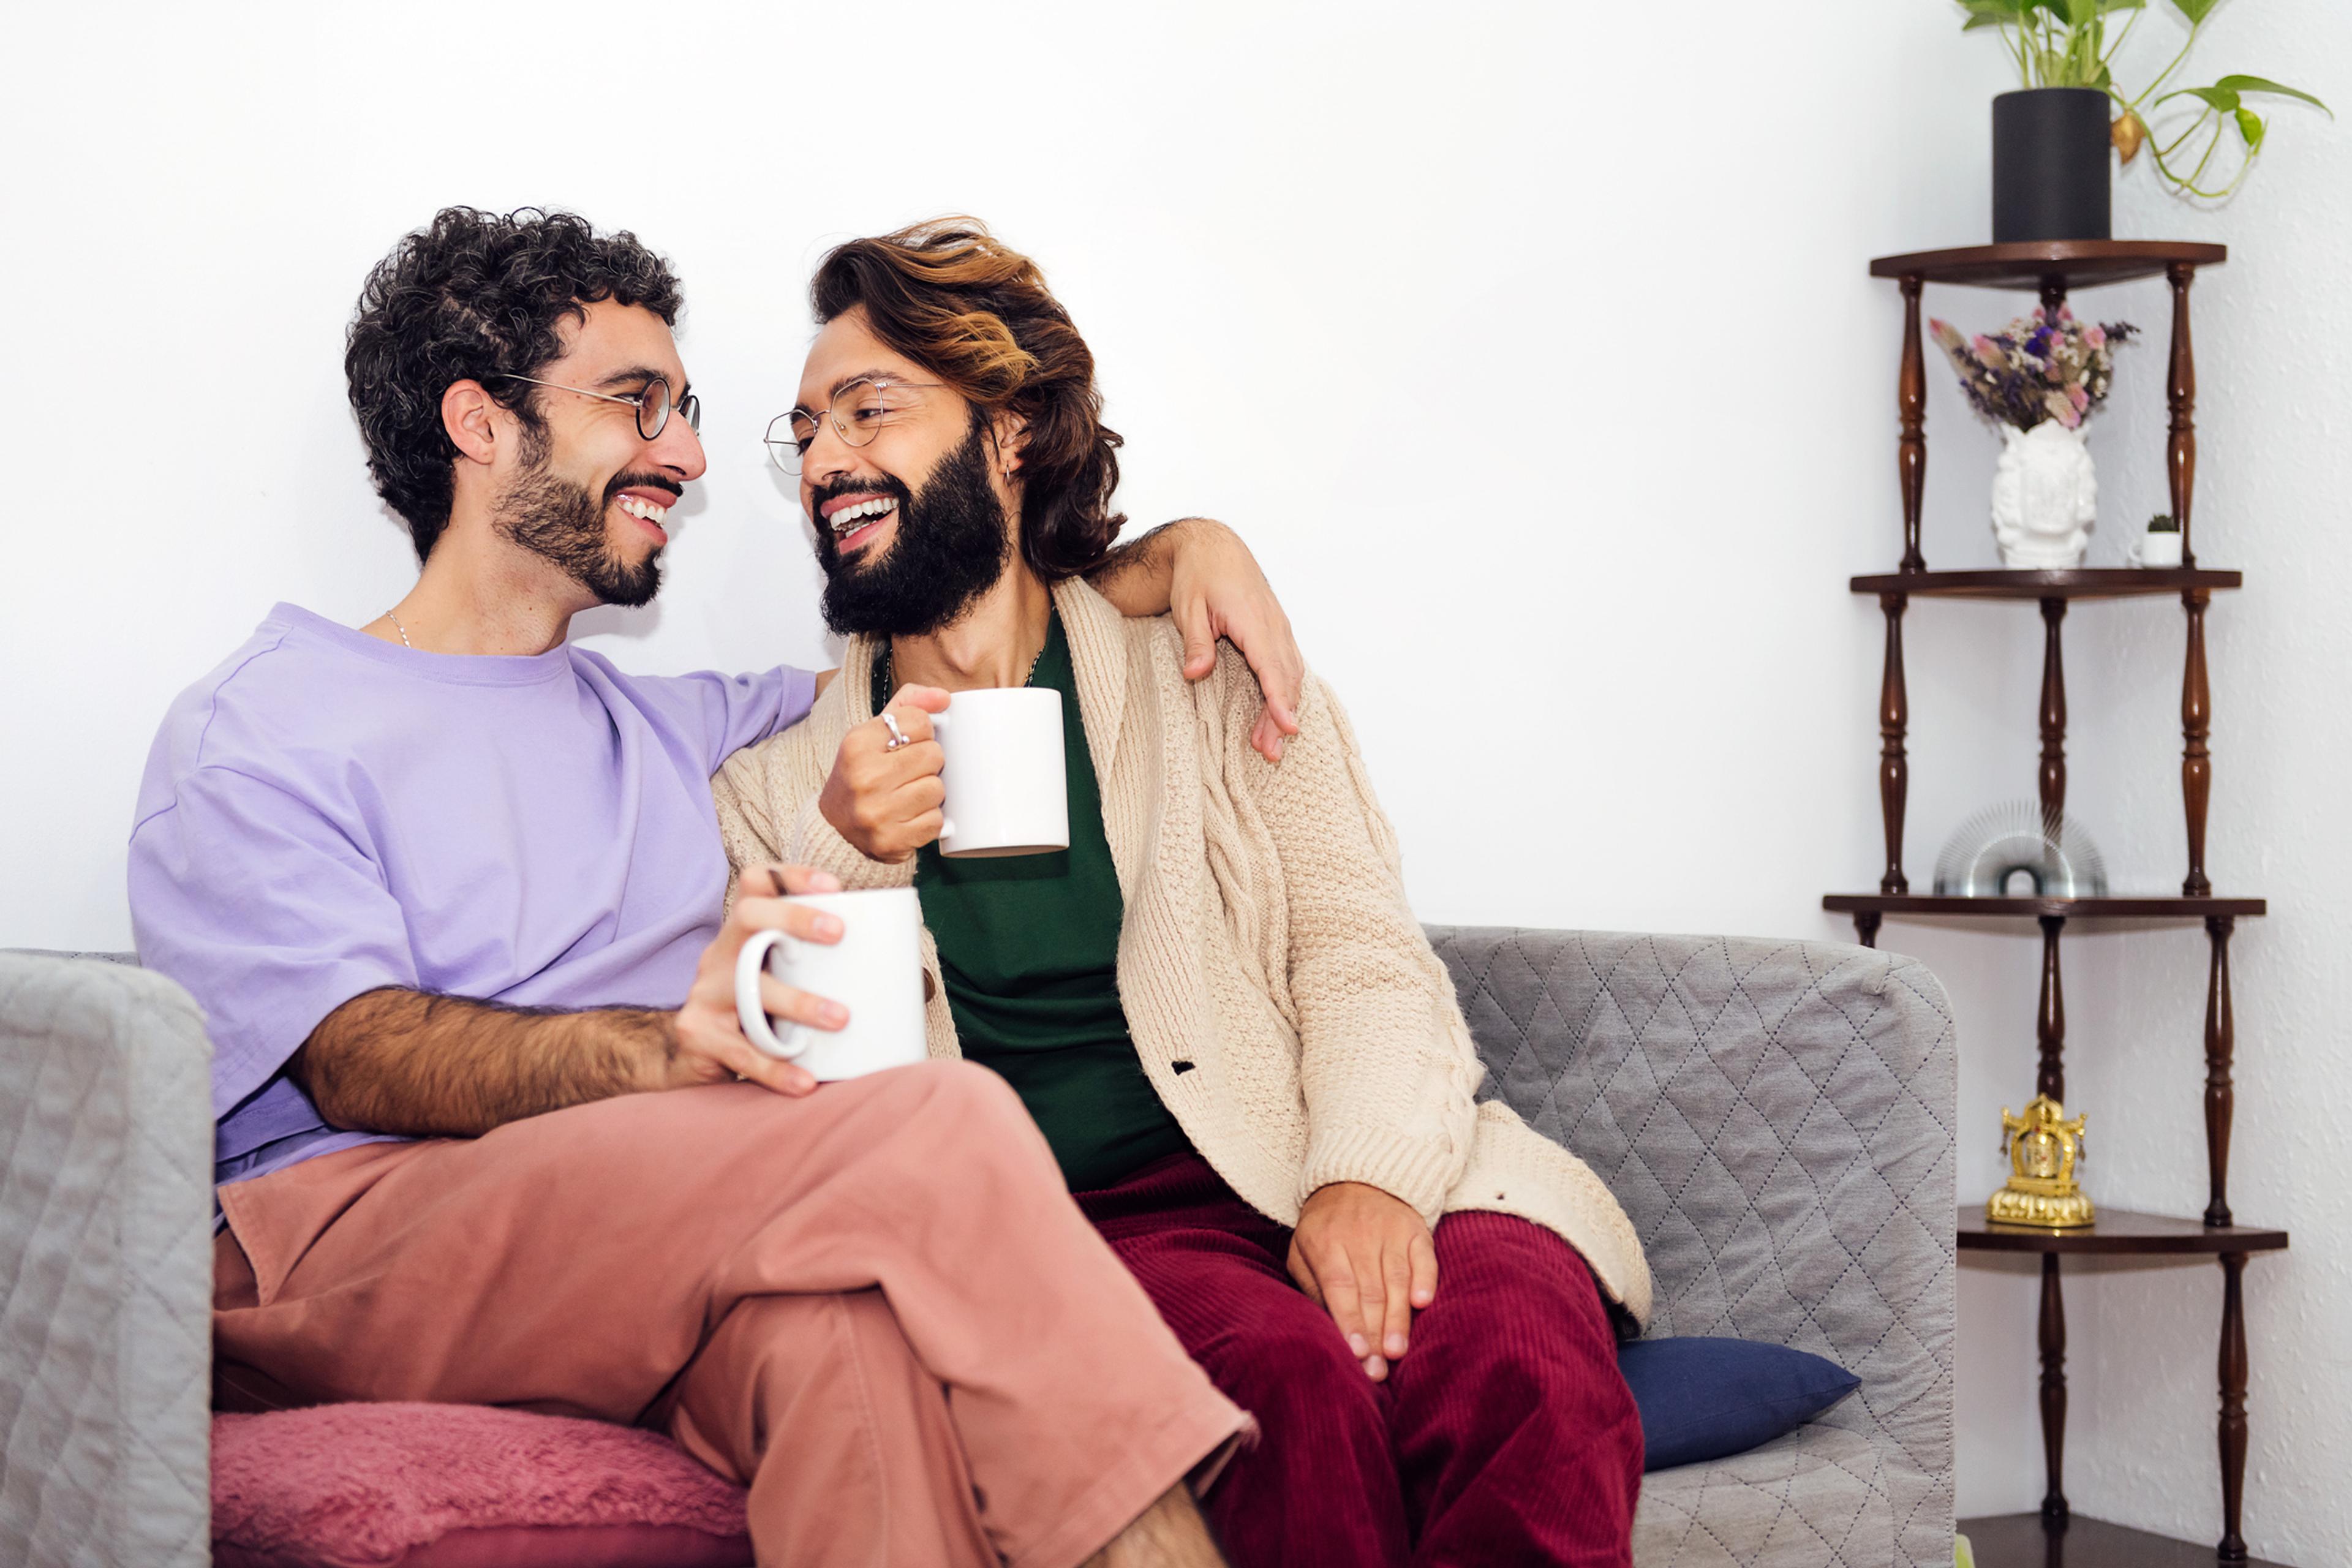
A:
[107,1254]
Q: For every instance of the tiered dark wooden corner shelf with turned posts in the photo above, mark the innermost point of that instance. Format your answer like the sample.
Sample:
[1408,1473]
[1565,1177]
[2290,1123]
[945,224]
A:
[2052,269]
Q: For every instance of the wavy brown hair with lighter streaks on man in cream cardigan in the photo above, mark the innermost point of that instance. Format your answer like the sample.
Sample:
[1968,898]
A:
[958,302]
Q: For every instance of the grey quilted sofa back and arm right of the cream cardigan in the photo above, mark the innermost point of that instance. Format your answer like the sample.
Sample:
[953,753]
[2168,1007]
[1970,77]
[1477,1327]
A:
[1777,1120]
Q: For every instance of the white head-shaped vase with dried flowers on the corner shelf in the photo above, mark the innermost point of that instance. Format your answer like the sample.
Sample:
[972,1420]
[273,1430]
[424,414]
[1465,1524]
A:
[2040,380]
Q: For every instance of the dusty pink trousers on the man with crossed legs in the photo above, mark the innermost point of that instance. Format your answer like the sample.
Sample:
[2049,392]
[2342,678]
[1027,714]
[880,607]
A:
[876,1308]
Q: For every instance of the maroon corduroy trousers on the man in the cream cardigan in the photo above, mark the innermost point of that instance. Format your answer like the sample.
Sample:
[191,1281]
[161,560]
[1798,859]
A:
[1504,1435]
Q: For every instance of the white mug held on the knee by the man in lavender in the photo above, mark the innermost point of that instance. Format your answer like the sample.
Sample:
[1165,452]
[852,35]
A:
[876,972]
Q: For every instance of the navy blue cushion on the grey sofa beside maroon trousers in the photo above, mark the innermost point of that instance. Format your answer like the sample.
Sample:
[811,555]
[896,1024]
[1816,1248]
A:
[1704,1400]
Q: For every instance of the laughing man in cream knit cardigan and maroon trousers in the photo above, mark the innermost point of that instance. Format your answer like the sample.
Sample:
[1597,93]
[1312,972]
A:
[1215,1003]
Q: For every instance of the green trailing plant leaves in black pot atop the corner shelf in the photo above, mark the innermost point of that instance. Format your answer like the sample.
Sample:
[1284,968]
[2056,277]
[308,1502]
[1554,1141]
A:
[2069,43]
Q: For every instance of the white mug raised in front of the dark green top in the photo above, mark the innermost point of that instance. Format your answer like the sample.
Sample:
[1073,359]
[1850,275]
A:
[1008,791]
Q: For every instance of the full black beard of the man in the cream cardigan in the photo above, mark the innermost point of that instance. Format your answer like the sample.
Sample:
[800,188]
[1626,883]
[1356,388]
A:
[949,549]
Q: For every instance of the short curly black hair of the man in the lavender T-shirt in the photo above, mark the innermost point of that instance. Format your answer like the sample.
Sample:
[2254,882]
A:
[476,297]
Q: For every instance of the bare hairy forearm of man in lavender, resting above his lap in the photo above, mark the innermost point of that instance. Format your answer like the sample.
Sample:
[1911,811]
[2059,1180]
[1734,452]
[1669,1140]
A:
[399,1061]
